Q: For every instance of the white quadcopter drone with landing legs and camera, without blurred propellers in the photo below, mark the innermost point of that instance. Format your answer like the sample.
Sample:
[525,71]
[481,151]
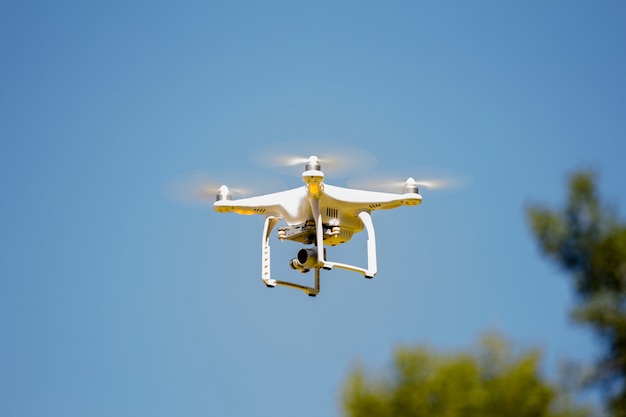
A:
[317,214]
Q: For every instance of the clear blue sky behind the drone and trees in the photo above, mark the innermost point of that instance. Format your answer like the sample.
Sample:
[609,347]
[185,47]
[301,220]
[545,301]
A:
[116,301]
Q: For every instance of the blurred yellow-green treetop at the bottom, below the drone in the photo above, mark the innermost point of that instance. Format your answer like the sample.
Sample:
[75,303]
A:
[488,381]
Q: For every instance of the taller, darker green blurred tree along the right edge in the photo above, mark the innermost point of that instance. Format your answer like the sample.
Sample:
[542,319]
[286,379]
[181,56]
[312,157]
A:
[589,242]
